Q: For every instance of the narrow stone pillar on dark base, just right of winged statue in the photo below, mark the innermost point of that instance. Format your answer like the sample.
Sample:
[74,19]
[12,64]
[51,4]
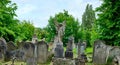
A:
[69,51]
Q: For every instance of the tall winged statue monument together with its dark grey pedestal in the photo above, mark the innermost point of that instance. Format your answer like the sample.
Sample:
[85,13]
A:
[58,44]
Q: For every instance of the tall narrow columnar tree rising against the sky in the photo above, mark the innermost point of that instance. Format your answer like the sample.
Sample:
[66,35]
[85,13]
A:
[88,19]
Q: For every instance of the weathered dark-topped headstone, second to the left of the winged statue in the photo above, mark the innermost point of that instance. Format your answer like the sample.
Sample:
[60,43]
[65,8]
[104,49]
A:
[28,49]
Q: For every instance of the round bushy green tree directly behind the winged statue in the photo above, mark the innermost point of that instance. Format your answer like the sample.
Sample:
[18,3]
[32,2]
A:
[72,26]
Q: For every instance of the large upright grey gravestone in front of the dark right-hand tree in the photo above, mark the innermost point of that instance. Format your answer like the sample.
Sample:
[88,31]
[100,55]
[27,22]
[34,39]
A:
[99,53]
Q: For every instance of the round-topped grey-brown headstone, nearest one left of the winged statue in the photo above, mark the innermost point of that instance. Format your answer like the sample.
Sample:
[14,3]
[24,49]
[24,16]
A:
[42,51]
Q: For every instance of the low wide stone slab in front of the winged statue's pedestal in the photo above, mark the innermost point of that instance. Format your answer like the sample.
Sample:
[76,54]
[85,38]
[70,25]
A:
[63,61]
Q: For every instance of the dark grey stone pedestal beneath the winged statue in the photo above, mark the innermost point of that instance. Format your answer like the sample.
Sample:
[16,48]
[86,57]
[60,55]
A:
[59,51]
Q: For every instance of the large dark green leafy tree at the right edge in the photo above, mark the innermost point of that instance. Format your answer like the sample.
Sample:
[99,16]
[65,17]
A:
[108,22]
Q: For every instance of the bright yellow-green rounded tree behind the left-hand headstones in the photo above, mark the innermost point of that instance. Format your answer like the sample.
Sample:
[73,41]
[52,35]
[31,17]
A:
[25,31]
